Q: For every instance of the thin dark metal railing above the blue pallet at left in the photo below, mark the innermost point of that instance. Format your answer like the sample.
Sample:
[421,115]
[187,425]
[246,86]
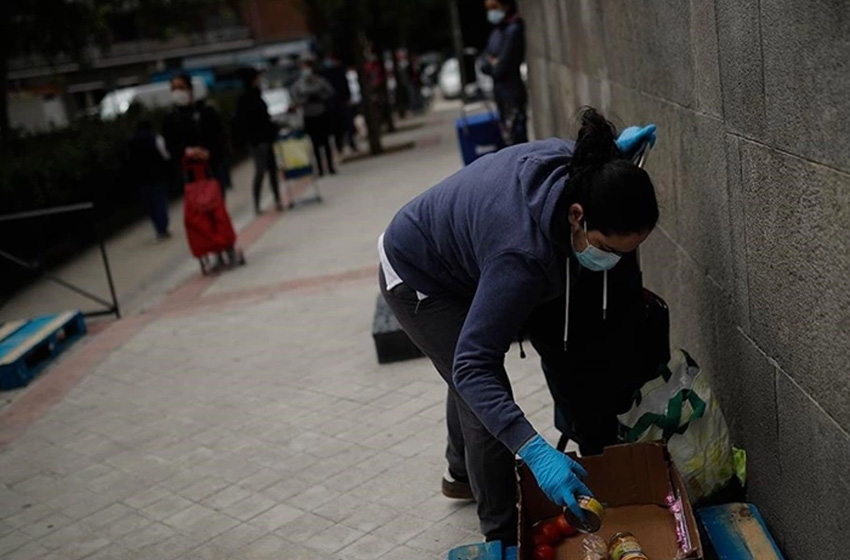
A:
[109,308]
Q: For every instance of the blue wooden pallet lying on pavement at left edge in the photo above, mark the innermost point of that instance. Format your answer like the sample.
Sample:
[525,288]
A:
[26,347]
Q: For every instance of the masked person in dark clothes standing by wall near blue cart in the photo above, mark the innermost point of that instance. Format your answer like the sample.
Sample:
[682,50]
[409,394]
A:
[503,57]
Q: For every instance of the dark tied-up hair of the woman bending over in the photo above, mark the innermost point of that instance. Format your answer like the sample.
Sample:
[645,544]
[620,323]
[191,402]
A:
[617,196]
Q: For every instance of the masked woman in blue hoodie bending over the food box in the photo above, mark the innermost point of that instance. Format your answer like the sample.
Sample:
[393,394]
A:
[539,238]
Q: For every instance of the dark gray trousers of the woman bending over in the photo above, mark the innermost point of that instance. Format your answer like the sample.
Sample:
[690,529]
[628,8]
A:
[434,325]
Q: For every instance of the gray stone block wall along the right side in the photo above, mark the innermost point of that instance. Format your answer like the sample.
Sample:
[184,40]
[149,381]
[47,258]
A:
[752,166]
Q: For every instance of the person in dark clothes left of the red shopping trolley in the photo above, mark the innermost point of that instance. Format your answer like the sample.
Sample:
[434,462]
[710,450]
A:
[148,168]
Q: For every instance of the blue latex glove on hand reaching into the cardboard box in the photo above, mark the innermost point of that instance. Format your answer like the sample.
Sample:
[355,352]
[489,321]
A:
[556,474]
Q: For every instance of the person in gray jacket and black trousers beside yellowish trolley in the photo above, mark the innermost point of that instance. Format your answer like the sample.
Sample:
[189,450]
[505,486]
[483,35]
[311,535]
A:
[314,95]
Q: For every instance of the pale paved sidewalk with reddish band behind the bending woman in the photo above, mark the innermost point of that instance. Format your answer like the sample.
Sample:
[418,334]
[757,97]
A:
[245,416]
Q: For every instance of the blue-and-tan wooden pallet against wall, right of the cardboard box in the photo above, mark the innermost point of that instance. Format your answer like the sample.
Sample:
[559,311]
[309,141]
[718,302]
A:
[737,532]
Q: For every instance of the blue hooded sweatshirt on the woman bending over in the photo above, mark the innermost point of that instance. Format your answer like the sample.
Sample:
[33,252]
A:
[483,234]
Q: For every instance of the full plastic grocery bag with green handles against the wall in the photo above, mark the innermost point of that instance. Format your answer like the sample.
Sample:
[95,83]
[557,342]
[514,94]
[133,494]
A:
[679,408]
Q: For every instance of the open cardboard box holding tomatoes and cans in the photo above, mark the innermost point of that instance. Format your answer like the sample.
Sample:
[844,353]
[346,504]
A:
[633,481]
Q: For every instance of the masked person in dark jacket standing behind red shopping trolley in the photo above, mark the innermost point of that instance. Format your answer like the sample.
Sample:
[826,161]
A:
[194,129]
